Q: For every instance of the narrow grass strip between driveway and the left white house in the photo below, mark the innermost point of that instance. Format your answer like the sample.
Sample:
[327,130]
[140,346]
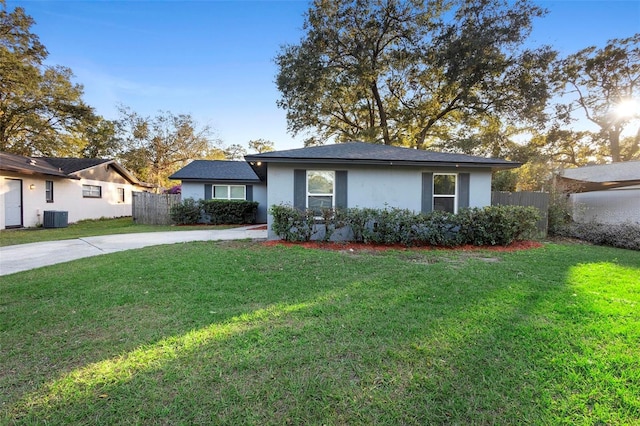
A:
[87,228]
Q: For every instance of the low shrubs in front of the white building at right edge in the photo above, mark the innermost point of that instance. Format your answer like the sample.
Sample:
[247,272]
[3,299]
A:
[625,236]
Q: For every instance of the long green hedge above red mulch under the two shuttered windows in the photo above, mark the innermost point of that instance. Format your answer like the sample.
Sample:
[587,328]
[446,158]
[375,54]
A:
[494,225]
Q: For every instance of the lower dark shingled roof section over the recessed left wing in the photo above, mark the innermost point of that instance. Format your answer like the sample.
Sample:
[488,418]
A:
[216,170]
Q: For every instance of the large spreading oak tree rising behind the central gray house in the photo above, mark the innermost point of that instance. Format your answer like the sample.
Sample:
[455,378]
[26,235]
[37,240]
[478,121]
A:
[411,72]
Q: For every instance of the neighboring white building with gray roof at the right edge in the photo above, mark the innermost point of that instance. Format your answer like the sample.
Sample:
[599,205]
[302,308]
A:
[606,193]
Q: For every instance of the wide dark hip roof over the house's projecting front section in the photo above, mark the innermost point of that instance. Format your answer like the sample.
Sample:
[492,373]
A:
[368,153]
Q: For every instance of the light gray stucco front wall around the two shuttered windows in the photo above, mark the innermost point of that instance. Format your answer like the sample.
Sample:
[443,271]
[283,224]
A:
[377,187]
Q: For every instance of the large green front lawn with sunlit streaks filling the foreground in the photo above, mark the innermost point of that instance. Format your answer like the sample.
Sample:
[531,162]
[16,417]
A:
[239,333]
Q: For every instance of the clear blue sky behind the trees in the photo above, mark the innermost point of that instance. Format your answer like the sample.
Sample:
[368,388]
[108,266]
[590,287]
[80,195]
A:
[214,59]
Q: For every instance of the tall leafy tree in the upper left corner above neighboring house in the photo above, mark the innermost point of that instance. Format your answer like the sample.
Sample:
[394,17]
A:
[40,107]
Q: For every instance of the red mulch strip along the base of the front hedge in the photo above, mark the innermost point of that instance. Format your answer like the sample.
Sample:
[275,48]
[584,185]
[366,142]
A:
[518,245]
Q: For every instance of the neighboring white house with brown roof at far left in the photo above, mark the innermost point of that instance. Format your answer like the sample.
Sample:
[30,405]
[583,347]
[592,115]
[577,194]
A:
[85,188]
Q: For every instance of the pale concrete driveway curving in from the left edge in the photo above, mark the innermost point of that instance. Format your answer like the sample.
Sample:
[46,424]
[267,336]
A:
[29,256]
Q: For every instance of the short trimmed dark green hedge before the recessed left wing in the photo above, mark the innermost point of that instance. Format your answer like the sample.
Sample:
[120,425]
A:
[214,212]
